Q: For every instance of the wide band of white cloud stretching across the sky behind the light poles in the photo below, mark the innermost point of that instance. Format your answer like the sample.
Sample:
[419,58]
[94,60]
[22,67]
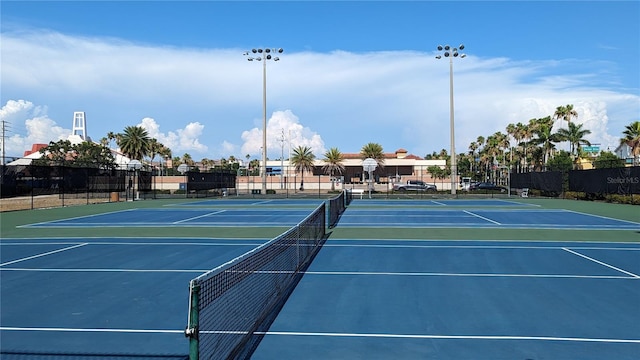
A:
[208,103]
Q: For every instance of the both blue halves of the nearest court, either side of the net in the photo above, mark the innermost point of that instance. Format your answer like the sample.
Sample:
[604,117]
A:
[360,299]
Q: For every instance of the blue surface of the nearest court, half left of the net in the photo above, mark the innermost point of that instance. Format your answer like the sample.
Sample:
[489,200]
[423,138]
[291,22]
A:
[103,295]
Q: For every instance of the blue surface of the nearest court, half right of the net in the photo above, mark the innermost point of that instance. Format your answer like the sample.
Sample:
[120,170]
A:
[462,300]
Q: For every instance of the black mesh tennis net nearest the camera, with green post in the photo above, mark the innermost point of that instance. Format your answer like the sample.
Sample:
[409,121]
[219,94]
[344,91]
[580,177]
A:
[233,305]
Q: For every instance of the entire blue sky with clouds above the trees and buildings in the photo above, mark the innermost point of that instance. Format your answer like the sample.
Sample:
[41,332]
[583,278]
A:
[352,72]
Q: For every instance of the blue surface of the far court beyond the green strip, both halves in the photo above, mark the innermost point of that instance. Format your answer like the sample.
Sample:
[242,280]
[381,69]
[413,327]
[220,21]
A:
[422,214]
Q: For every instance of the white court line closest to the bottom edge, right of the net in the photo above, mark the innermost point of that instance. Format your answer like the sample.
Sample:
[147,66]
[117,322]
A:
[426,336]
